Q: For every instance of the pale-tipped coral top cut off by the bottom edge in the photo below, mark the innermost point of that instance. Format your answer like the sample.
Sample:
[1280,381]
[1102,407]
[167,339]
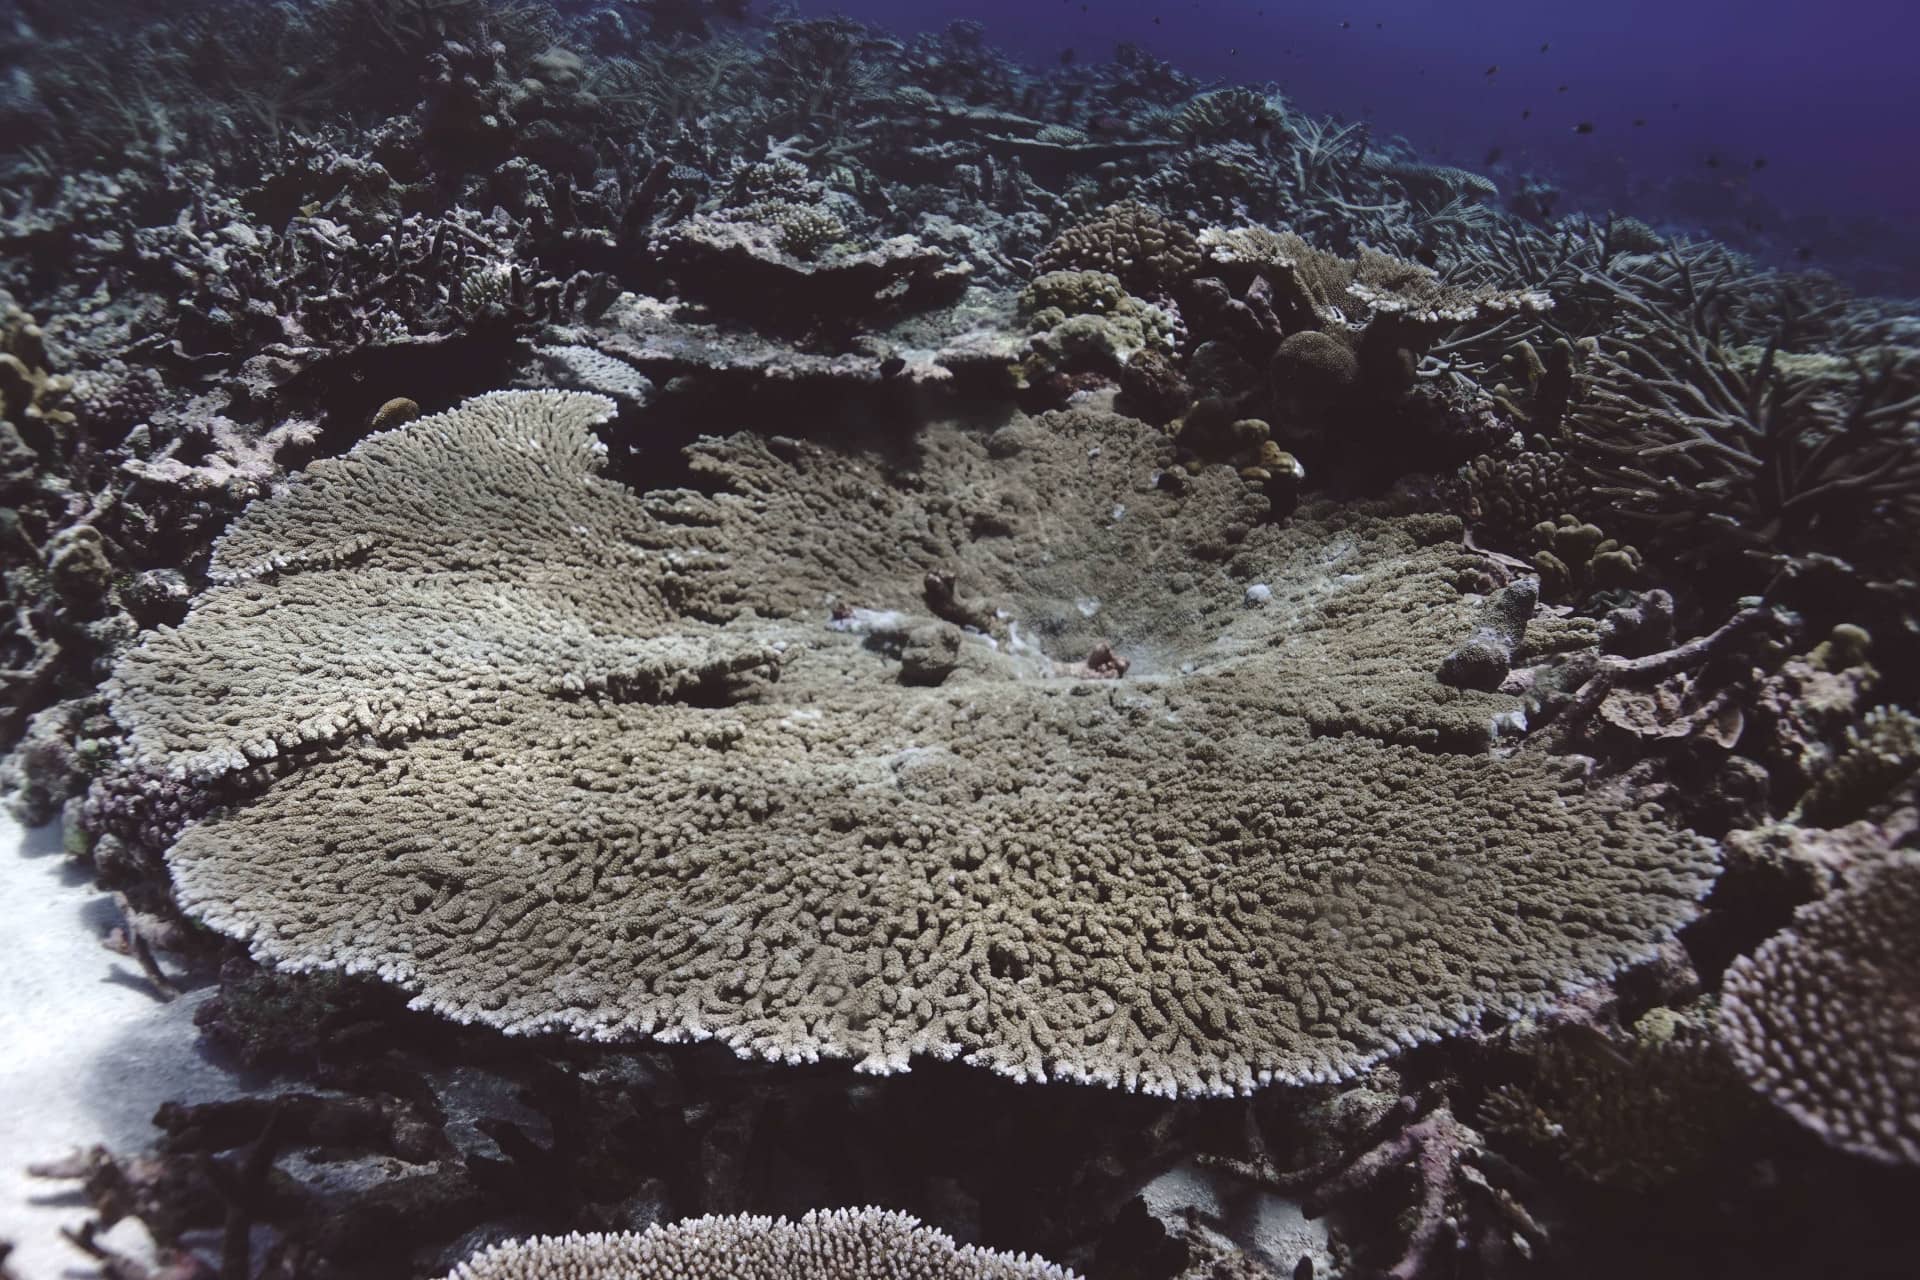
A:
[827,1244]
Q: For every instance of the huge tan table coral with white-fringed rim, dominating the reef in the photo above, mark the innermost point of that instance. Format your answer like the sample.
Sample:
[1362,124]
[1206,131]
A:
[1272,851]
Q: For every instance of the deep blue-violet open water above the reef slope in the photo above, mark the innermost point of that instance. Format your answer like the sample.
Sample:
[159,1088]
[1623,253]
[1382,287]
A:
[1788,128]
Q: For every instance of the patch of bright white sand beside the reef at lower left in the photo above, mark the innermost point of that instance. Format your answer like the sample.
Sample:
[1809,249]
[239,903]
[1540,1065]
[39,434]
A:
[87,1053]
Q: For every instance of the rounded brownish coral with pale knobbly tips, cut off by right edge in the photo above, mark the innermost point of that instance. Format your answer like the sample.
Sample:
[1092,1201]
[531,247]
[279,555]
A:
[1825,1018]
